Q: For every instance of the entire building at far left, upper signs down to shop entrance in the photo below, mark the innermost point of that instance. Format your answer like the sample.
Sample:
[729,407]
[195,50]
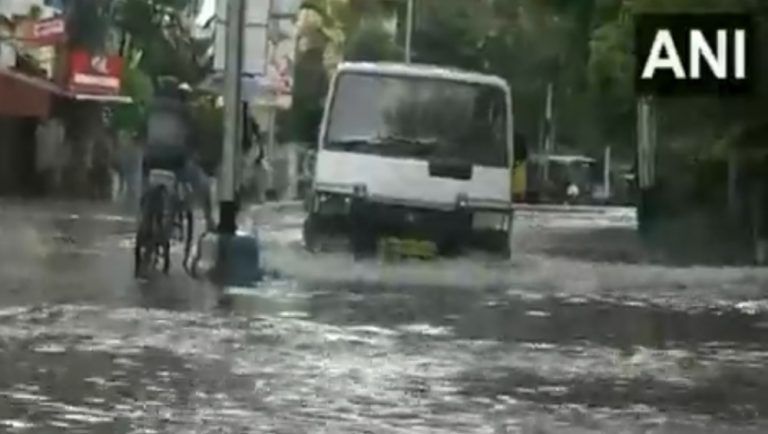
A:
[45,80]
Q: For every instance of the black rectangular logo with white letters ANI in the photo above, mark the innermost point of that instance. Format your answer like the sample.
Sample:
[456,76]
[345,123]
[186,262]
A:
[695,54]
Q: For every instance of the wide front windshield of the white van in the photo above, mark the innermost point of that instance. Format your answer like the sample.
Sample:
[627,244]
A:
[424,118]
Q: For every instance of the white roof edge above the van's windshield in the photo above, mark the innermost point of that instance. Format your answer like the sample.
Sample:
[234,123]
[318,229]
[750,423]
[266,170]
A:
[423,70]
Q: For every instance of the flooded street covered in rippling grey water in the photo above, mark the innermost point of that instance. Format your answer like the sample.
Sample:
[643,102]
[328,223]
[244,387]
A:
[576,334]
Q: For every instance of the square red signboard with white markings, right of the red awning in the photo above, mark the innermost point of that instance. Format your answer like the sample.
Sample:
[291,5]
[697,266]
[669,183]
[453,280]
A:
[94,74]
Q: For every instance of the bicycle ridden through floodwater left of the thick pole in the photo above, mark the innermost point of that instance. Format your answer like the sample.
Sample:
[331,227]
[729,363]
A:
[165,215]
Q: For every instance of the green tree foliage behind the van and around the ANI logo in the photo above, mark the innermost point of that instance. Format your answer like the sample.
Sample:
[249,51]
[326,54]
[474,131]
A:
[584,47]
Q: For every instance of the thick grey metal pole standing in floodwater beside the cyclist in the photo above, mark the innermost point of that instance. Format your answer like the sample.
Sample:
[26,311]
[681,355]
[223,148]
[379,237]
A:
[232,91]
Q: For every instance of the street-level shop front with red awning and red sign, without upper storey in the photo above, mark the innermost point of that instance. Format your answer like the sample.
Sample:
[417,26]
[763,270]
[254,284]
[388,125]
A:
[77,102]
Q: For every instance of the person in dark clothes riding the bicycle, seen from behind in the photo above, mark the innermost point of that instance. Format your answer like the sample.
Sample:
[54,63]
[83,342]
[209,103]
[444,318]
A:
[169,135]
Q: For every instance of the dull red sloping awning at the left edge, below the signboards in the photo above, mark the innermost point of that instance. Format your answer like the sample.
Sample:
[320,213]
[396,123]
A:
[24,95]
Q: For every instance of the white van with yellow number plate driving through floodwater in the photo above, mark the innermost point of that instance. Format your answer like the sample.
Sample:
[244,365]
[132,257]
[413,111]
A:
[413,153]
